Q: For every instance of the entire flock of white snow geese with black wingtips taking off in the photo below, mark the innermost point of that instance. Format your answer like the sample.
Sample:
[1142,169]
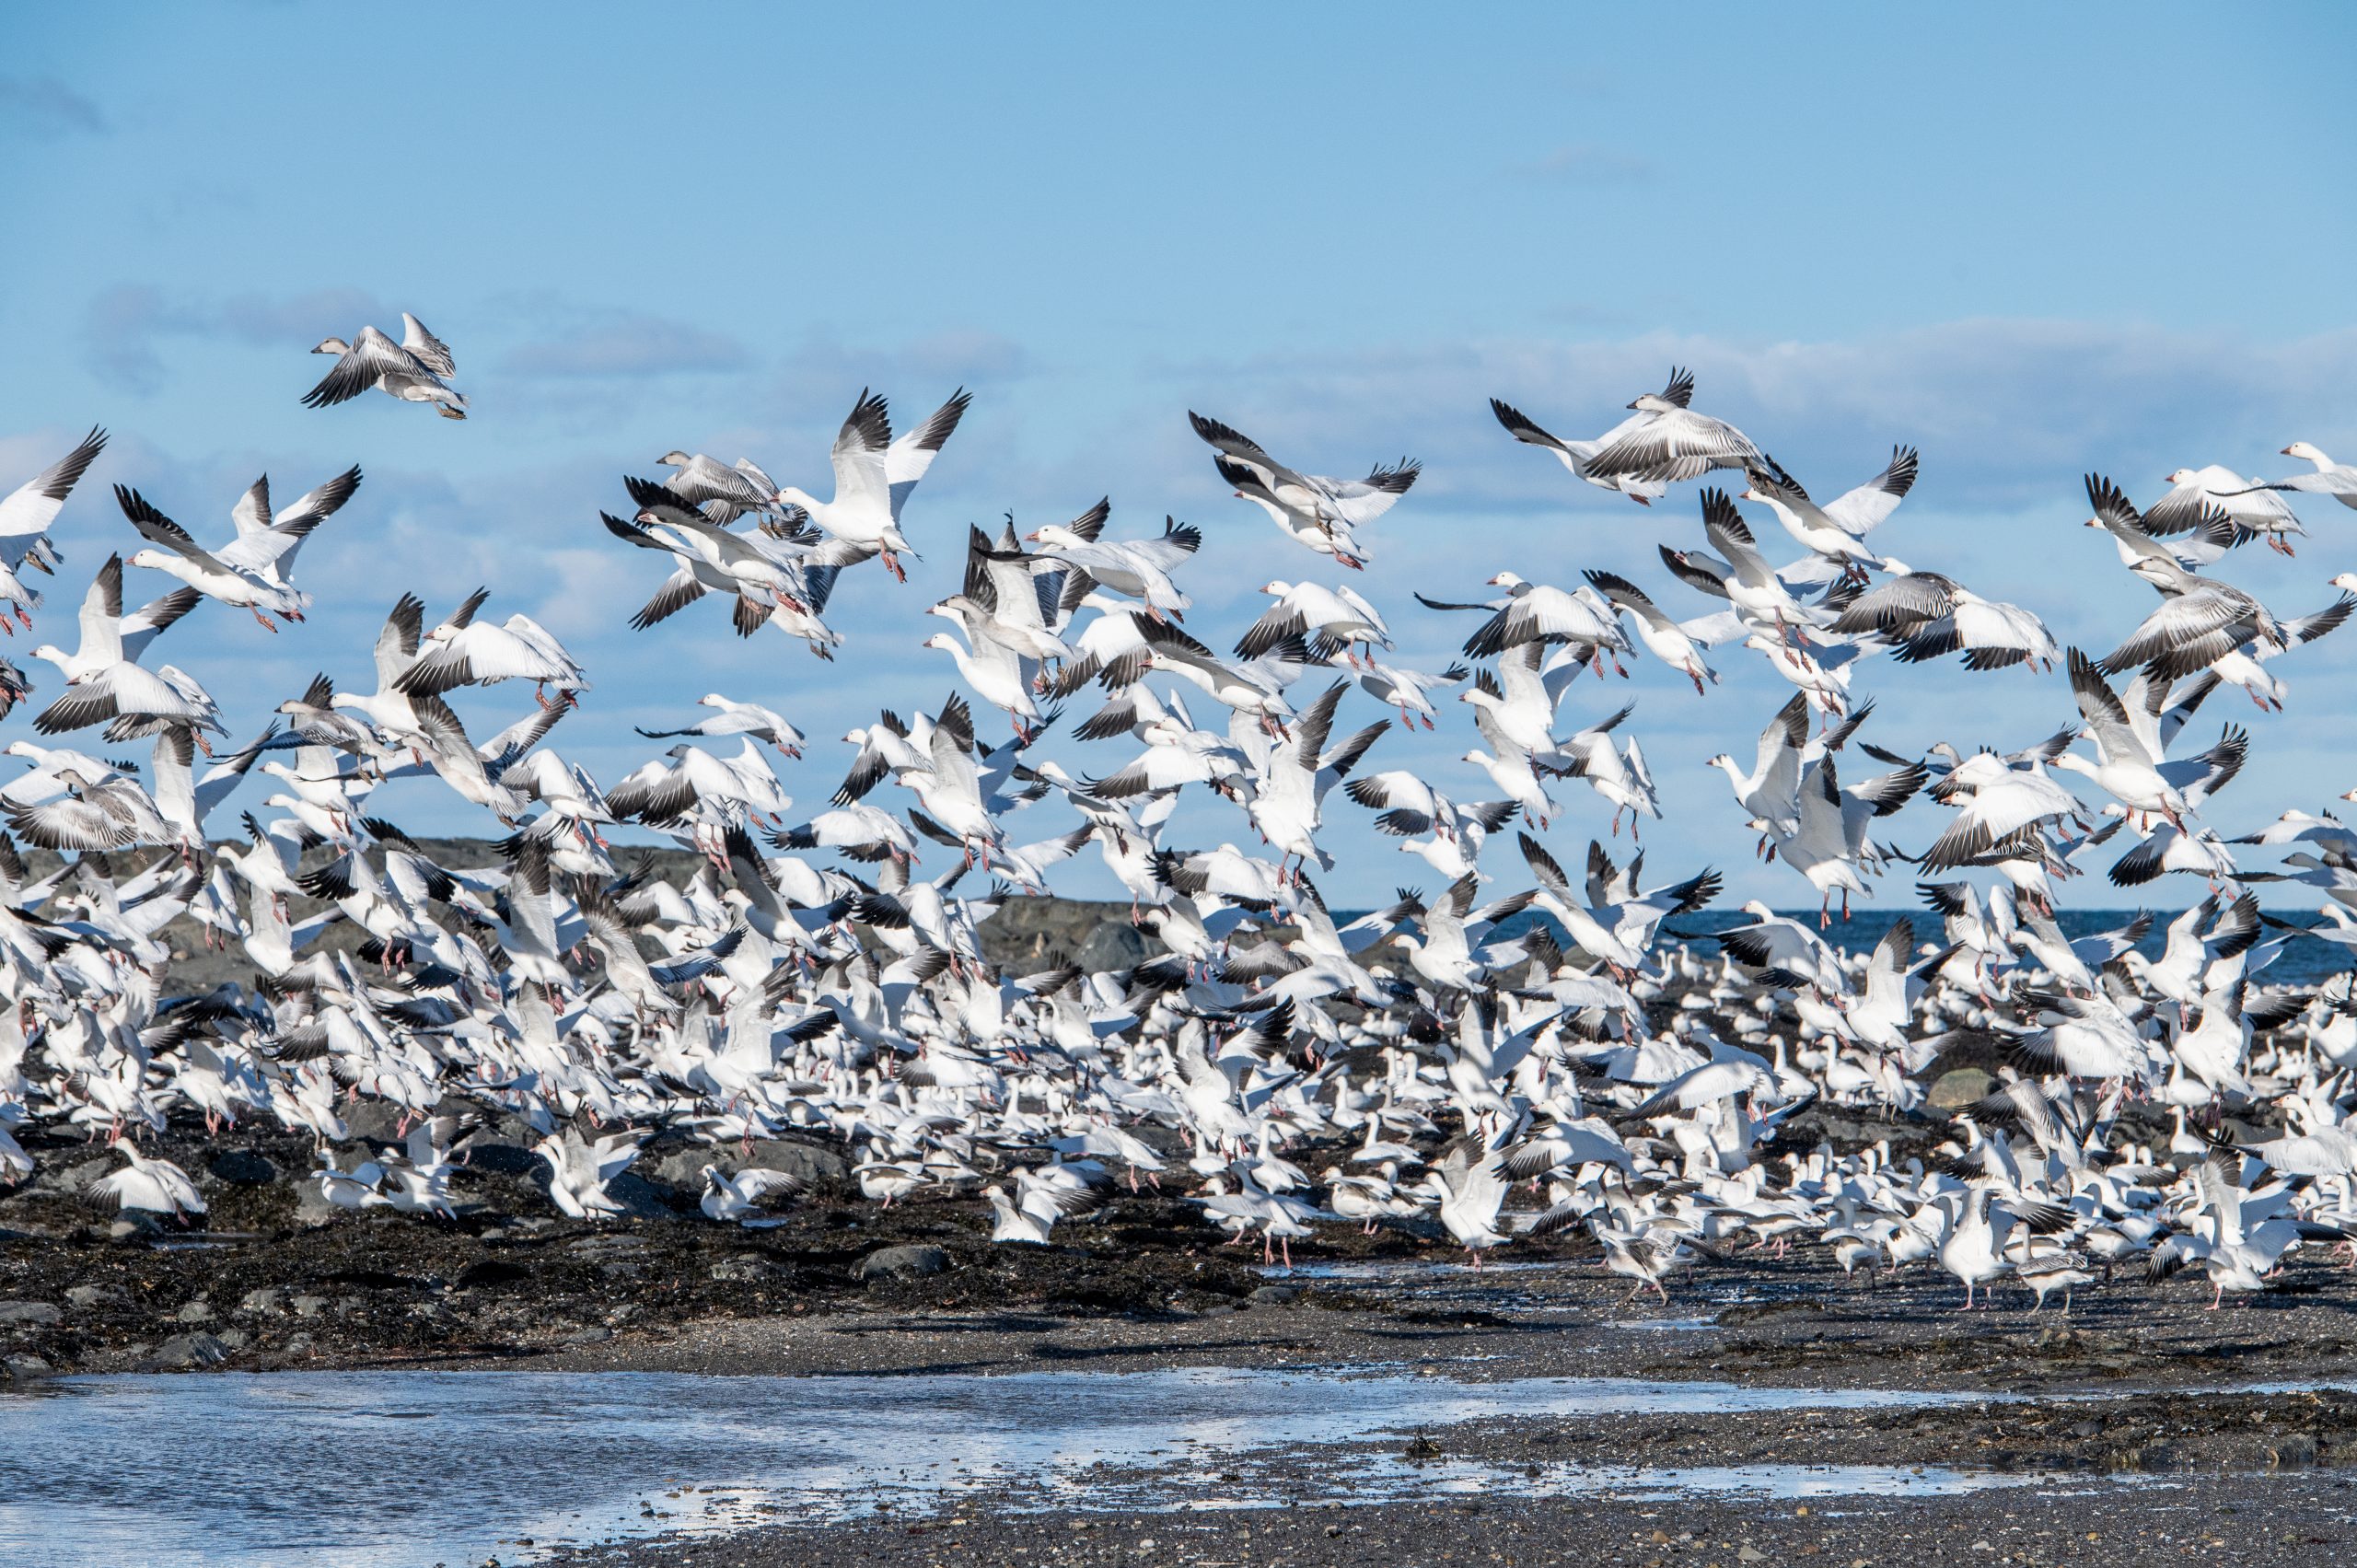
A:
[1526,1053]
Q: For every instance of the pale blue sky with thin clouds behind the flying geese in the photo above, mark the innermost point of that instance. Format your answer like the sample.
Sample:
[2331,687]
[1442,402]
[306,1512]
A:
[2033,242]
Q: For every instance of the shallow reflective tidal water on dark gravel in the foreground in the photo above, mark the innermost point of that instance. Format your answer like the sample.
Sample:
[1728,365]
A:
[381,1470]
